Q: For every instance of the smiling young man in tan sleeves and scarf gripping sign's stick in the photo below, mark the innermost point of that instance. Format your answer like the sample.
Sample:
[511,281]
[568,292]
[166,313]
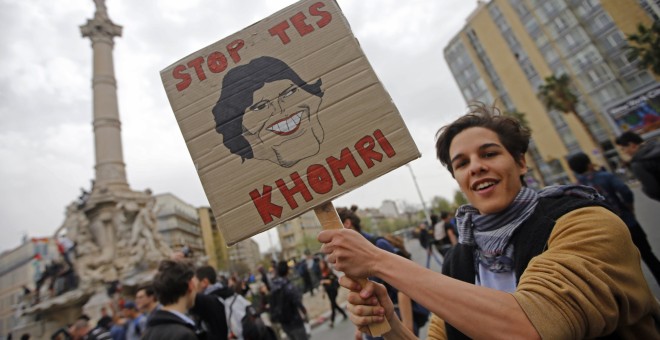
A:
[553,264]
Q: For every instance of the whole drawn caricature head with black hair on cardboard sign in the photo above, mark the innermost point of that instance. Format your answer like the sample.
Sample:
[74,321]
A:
[266,111]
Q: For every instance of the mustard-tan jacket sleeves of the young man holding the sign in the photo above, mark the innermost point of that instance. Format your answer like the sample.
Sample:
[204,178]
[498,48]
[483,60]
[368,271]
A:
[588,283]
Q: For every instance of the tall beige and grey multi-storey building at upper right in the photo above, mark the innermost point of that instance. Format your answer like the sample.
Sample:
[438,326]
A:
[508,47]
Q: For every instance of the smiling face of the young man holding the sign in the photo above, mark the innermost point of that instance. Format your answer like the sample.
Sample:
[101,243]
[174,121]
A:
[486,172]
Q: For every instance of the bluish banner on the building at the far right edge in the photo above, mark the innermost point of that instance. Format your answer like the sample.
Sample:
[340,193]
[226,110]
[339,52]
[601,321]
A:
[639,113]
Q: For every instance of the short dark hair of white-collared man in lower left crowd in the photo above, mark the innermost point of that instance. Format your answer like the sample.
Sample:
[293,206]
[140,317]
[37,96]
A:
[171,280]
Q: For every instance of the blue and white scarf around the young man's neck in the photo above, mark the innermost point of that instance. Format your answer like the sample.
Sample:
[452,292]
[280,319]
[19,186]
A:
[492,233]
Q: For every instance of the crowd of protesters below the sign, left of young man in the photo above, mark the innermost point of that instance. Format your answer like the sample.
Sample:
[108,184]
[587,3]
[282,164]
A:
[187,302]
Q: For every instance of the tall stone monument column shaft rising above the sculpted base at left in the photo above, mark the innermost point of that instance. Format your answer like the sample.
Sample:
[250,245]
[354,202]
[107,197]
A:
[110,167]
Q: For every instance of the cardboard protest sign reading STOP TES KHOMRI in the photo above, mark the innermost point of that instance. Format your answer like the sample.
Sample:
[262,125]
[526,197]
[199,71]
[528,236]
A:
[284,116]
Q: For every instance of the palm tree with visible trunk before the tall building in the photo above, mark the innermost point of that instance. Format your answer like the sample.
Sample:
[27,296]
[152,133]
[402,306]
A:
[557,94]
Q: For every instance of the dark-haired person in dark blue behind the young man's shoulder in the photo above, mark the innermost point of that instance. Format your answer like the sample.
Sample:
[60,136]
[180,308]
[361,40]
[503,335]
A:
[620,198]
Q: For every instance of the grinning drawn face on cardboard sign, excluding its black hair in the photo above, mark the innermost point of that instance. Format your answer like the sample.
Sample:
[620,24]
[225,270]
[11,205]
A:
[282,124]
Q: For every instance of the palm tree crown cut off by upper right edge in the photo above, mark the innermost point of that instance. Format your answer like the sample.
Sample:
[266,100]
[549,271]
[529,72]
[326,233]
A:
[644,45]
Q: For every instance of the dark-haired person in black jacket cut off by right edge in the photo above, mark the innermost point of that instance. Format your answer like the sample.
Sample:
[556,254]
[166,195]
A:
[645,161]
